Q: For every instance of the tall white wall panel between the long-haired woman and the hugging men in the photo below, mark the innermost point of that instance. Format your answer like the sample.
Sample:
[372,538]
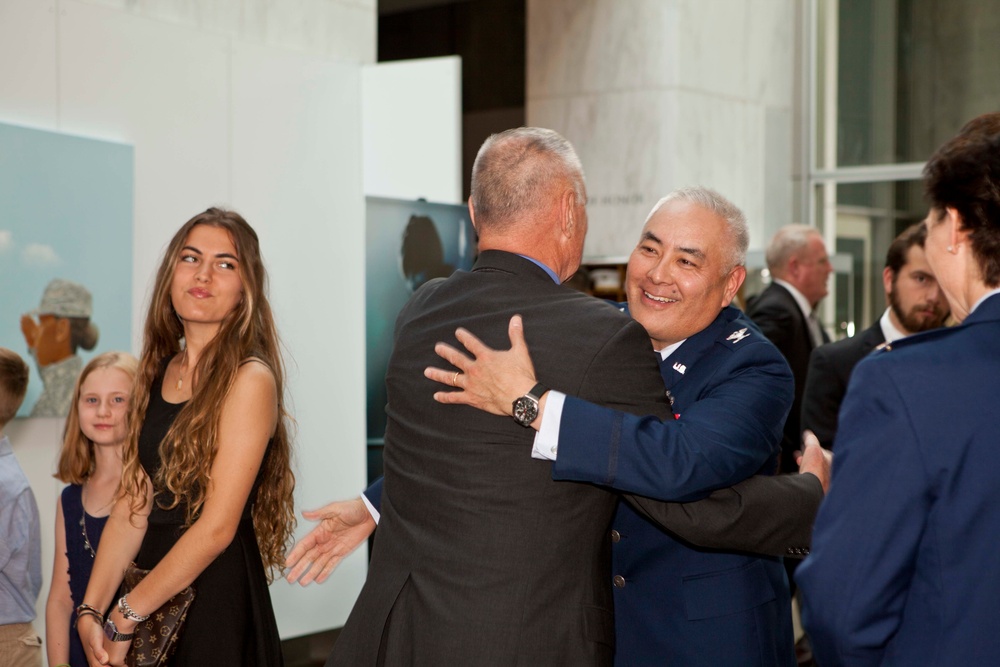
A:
[297,179]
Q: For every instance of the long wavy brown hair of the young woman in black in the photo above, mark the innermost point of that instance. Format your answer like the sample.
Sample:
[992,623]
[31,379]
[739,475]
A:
[188,450]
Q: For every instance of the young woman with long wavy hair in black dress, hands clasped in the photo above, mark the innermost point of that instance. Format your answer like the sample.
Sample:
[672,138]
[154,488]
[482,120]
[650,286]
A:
[207,484]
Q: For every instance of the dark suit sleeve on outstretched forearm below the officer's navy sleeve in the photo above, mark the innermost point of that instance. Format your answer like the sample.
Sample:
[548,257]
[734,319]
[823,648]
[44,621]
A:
[772,516]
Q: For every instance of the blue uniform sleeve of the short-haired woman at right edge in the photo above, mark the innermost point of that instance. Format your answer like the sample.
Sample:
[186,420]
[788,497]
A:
[868,531]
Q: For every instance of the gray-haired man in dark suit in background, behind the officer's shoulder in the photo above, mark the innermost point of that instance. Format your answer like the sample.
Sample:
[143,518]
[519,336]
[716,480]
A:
[785,312]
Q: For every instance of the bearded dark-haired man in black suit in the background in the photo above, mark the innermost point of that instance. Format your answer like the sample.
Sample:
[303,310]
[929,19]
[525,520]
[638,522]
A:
[915,304]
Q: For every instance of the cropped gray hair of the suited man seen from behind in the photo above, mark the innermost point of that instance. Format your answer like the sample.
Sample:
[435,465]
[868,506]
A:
[515,173]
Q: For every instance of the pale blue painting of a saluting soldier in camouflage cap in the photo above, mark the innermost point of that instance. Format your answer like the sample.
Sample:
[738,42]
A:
[65,257]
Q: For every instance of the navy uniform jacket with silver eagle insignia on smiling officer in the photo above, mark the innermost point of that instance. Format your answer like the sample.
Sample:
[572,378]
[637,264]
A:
[676,604]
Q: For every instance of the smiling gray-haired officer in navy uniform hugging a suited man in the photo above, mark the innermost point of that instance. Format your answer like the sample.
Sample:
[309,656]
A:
[730,390]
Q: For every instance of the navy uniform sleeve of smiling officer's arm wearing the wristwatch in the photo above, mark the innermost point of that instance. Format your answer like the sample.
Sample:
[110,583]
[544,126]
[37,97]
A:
[724,437]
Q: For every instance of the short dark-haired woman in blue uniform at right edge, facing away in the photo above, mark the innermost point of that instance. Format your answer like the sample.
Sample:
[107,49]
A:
[903,566]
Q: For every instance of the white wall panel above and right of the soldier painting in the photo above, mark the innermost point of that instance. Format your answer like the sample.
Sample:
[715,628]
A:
[163,89]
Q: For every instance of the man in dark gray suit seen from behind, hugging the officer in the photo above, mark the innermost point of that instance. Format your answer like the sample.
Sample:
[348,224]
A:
[481,558]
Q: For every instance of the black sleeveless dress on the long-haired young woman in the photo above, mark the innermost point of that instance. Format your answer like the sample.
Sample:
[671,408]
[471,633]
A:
[231,621]
